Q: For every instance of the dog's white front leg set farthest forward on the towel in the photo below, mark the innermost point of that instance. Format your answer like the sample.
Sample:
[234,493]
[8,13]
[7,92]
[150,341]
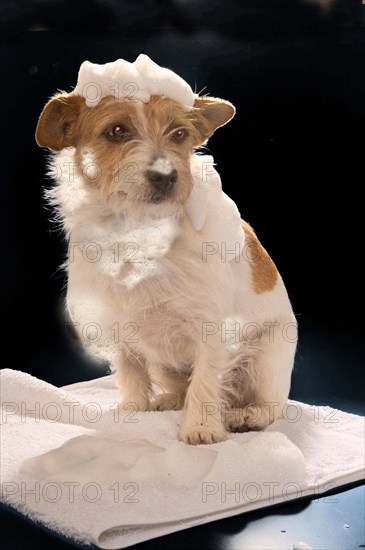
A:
[202,419]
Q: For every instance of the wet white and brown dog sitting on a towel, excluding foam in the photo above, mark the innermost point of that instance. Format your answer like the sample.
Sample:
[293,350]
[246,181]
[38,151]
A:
[215,338]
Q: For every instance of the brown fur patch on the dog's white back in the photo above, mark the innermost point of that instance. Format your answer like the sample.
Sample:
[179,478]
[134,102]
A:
[263,270]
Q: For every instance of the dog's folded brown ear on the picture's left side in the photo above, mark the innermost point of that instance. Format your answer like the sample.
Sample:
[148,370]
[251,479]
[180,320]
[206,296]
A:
[56,125]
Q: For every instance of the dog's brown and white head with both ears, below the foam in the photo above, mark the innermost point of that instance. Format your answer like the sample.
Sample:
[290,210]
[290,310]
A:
[130,150]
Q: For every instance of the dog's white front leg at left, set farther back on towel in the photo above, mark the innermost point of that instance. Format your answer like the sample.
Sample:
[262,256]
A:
[134,382]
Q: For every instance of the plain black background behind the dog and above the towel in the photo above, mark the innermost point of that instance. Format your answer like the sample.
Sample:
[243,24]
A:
[292,159]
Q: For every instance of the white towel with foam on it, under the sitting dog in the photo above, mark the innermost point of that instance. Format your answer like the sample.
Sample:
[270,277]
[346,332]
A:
[71,461]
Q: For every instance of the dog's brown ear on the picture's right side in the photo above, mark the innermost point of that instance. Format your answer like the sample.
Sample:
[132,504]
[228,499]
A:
[210,113]
